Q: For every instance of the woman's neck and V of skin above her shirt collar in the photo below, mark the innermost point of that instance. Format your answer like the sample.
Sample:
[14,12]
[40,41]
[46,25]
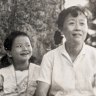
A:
[73,50]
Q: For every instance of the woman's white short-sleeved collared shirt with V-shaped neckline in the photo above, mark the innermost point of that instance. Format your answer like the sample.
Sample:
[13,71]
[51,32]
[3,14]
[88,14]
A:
[67,77]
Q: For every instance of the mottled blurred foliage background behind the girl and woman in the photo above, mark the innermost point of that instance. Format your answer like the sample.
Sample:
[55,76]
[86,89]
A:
[38,19]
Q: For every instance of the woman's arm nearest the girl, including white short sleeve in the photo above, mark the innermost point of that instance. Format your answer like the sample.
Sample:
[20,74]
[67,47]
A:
[45,75]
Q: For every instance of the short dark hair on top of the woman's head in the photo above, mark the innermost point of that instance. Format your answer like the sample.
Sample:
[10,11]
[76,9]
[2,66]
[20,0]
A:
[73,10]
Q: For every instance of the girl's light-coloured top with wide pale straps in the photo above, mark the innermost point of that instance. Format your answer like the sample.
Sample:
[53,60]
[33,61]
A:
[18,82]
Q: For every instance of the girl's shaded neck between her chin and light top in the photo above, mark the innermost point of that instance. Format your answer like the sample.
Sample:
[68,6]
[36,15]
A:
[21,65]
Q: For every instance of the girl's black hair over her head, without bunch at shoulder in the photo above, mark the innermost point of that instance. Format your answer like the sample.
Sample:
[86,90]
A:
[11,37]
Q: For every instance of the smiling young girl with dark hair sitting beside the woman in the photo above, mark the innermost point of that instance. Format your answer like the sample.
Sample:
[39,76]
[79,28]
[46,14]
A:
[19,74]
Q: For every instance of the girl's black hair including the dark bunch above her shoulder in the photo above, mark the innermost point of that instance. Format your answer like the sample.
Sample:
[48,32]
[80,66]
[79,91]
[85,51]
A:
[5,60]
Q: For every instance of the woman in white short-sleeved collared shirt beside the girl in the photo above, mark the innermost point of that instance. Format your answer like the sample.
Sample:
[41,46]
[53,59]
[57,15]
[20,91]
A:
[69,69]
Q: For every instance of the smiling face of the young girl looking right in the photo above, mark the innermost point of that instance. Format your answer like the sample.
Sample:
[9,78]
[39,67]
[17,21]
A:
[21,49]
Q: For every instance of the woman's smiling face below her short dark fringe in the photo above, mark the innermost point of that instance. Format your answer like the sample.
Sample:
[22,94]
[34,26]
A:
[75,28]
